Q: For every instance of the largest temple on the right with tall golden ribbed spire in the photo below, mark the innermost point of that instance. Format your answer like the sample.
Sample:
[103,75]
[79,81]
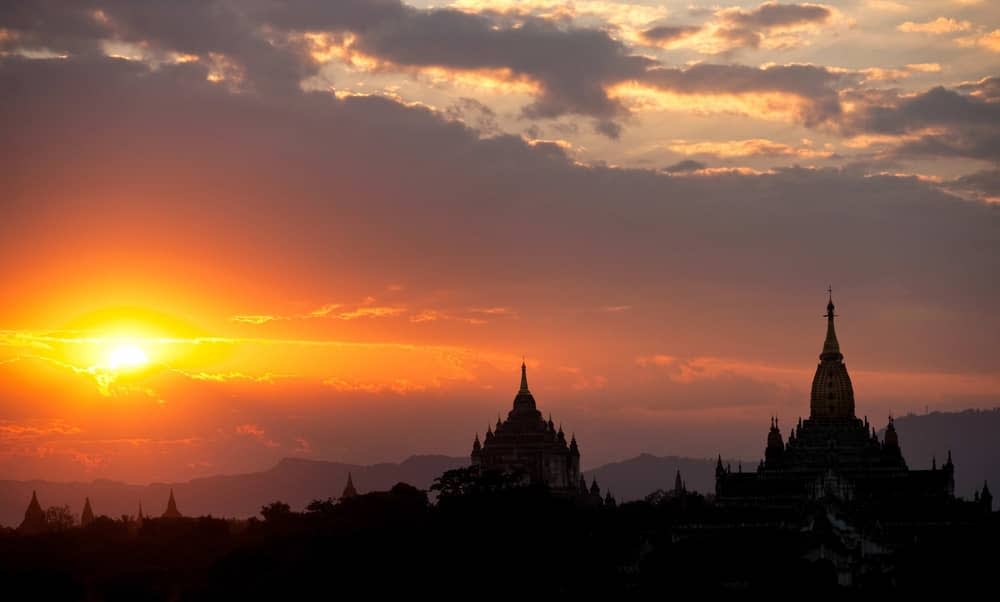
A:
[833,452]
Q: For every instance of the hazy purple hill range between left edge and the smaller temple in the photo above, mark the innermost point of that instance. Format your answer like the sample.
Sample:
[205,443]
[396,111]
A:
[294,481]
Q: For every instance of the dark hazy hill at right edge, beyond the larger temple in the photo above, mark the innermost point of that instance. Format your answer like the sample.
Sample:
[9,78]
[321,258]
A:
[973,436]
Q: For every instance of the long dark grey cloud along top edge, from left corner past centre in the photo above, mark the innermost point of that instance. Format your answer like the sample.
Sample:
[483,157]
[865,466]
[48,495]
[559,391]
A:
[571,65]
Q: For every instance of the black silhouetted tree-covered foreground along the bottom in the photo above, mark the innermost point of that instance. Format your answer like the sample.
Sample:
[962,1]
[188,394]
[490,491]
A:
[492,540]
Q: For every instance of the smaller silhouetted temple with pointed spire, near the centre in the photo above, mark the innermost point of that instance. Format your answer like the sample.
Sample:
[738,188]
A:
[528,444]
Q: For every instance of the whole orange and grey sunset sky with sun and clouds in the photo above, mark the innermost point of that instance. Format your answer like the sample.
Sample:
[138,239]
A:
[232,232]
